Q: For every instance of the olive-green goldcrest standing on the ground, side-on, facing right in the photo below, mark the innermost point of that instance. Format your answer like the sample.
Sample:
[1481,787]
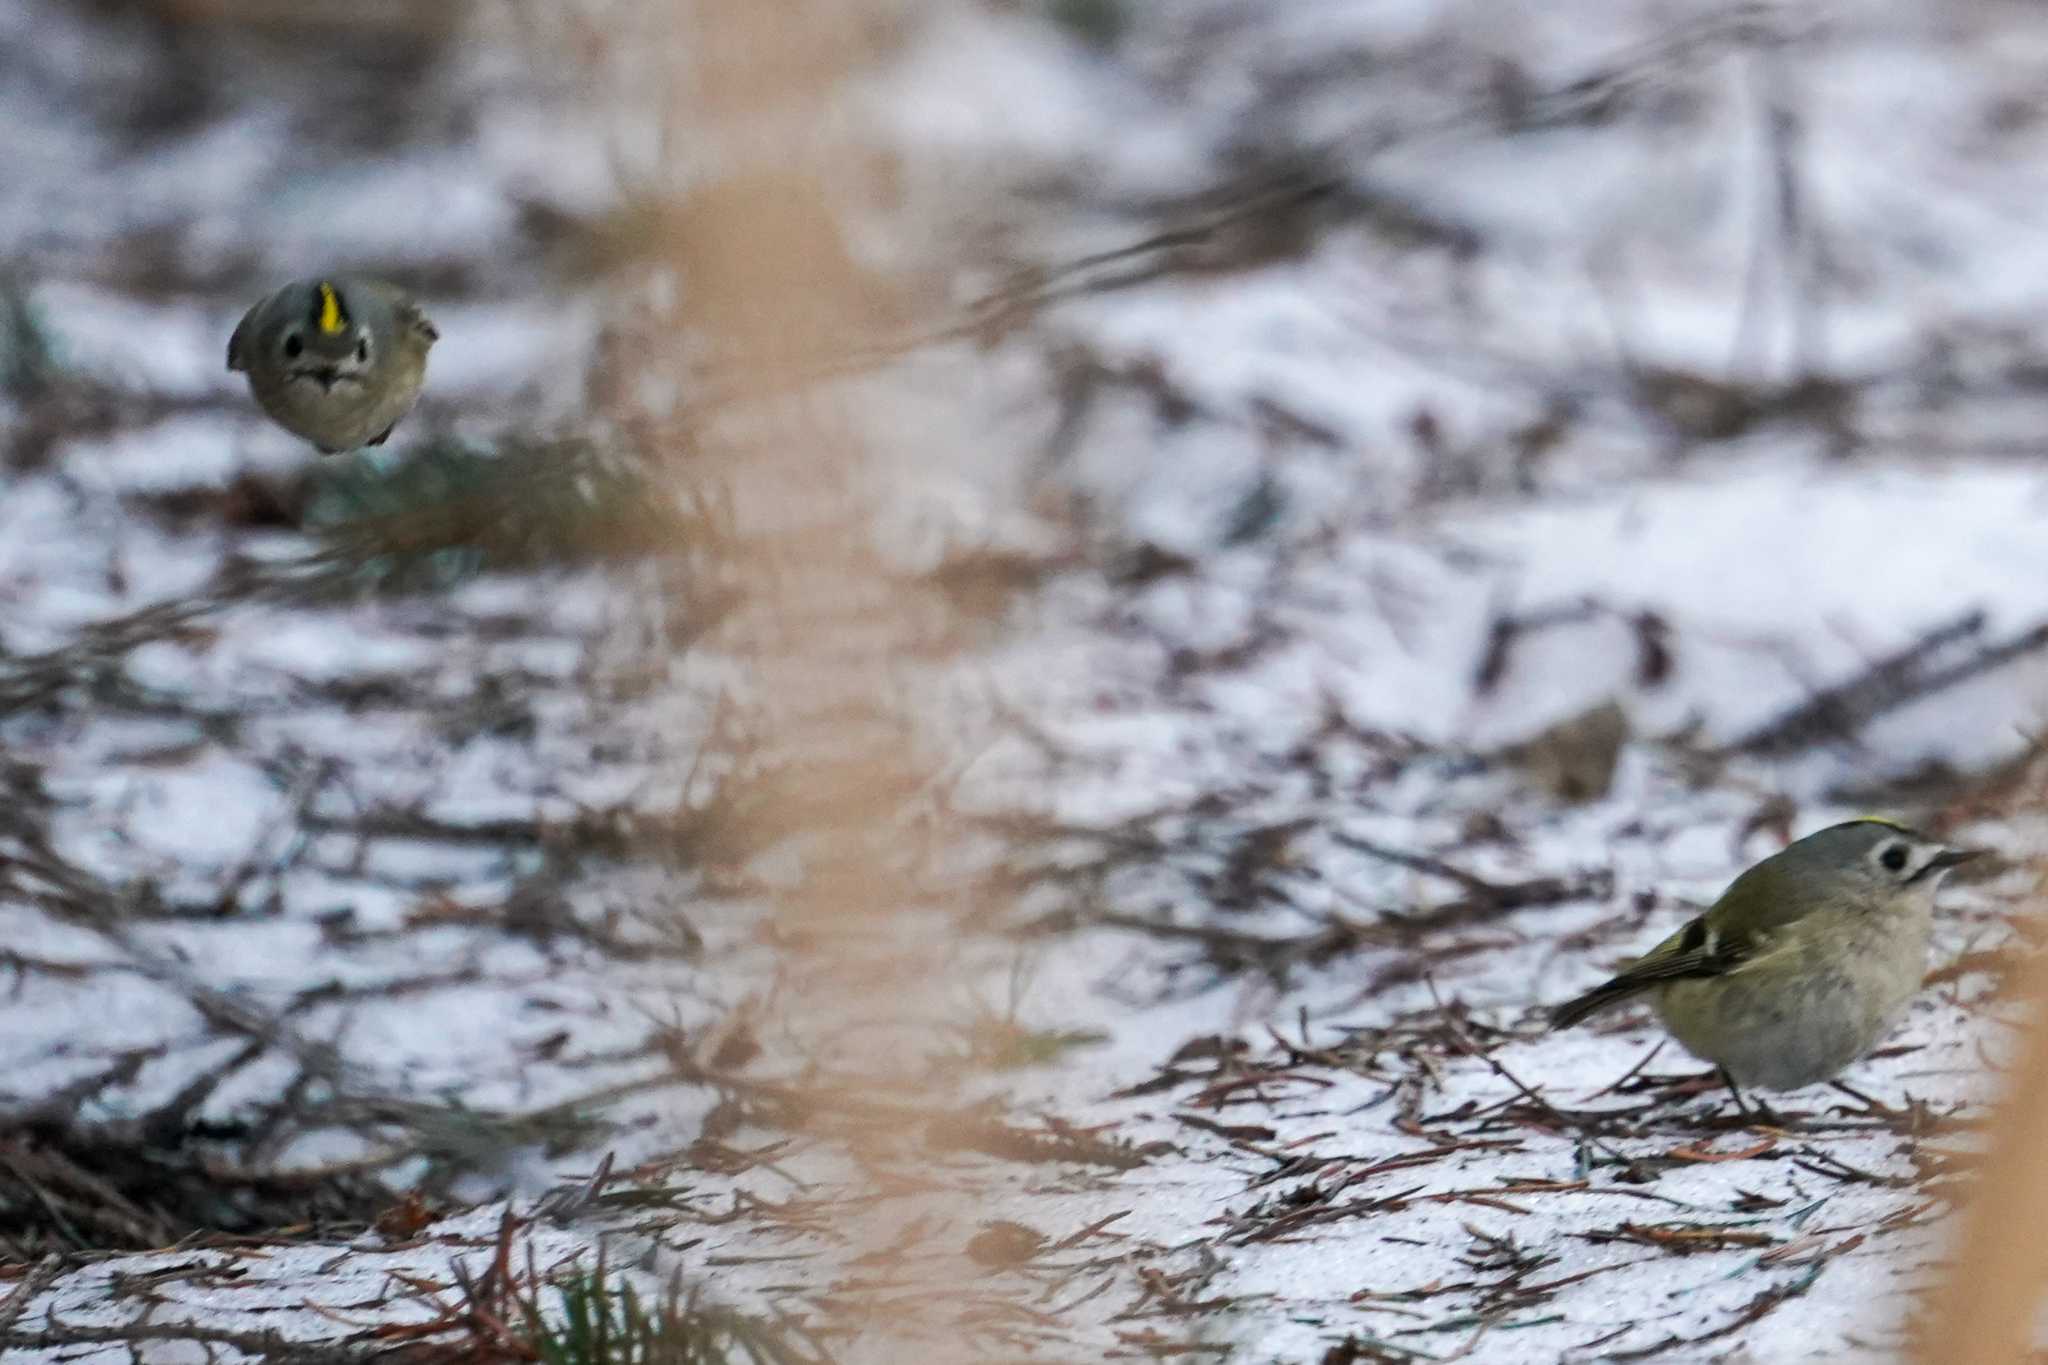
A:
[1803,965]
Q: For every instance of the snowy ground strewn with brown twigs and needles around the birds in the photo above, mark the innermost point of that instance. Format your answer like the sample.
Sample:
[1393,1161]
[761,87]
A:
[1680,357]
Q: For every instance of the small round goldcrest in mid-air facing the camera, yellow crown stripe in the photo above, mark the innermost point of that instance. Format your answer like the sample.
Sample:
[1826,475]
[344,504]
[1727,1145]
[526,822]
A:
[337,361]
